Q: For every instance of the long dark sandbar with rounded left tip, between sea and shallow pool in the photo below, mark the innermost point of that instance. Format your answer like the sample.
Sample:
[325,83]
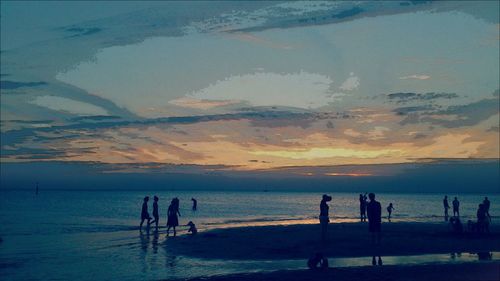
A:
[344,240]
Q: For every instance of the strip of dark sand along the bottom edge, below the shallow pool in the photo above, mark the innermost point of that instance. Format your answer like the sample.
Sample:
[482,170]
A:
[446,272]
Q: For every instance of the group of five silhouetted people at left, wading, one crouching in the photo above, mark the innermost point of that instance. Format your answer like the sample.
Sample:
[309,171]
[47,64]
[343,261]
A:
[173,215]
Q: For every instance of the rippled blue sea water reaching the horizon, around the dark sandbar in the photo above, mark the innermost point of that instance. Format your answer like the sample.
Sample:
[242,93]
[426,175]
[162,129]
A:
[93,235]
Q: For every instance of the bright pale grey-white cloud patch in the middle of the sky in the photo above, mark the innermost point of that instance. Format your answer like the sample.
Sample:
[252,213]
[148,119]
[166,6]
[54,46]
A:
[299,90]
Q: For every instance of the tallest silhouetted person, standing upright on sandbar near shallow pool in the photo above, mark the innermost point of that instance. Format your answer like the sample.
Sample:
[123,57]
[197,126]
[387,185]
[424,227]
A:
[374,210]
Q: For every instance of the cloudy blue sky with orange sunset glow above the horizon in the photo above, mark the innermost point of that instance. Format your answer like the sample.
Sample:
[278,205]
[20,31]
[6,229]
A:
[294,88]
